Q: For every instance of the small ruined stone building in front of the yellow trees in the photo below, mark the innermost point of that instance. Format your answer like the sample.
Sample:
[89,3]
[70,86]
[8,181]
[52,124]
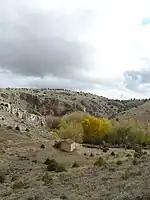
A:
[68,145]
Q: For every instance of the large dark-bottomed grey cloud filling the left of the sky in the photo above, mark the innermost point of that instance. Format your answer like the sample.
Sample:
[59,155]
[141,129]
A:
[34,43]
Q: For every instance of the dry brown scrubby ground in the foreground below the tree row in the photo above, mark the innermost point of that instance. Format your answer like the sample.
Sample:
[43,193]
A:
[26,176]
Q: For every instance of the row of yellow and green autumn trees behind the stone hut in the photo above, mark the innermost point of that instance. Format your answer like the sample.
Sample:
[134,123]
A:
[86,128]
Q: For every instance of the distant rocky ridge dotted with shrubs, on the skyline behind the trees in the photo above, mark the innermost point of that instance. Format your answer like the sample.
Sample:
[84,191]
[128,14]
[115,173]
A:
[58,102]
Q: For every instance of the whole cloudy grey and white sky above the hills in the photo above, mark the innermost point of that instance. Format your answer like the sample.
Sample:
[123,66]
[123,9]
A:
[97,46]
